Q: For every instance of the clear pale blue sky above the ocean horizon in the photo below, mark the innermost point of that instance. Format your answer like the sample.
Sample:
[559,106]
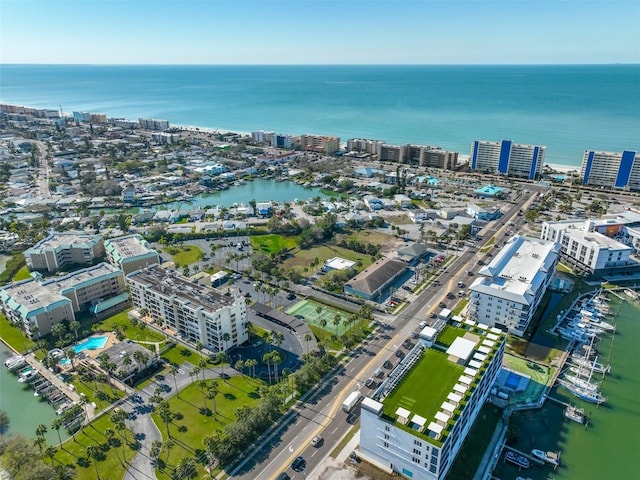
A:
[319,32]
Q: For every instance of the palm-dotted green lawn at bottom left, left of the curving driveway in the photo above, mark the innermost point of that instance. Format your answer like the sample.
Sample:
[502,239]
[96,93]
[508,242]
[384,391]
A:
[74,452]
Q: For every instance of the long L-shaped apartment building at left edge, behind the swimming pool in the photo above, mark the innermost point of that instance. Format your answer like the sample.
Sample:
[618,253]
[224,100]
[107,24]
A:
[43,304]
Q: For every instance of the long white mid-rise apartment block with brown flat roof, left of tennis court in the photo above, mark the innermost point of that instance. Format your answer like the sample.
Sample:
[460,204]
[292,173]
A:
[195,312]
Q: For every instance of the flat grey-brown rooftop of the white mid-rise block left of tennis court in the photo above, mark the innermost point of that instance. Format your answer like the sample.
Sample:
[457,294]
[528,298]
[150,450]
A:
[171,283]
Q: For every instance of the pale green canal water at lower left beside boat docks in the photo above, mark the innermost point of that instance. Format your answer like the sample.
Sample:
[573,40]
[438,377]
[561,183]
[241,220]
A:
[25,411]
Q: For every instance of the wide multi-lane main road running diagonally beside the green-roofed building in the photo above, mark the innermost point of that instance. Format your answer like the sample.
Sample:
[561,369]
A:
[321,415]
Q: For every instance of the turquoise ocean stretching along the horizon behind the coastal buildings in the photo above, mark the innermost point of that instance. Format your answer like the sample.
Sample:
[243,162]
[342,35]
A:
[567,108]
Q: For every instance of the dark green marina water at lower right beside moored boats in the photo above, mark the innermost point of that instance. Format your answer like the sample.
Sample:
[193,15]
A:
[608,447]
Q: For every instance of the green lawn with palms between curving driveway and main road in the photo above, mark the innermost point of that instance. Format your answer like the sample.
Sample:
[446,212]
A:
[191,422]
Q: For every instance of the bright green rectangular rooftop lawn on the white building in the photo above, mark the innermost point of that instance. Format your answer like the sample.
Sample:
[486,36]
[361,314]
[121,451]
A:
[437,376]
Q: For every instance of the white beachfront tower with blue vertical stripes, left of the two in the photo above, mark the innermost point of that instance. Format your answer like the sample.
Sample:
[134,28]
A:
[508,158]
